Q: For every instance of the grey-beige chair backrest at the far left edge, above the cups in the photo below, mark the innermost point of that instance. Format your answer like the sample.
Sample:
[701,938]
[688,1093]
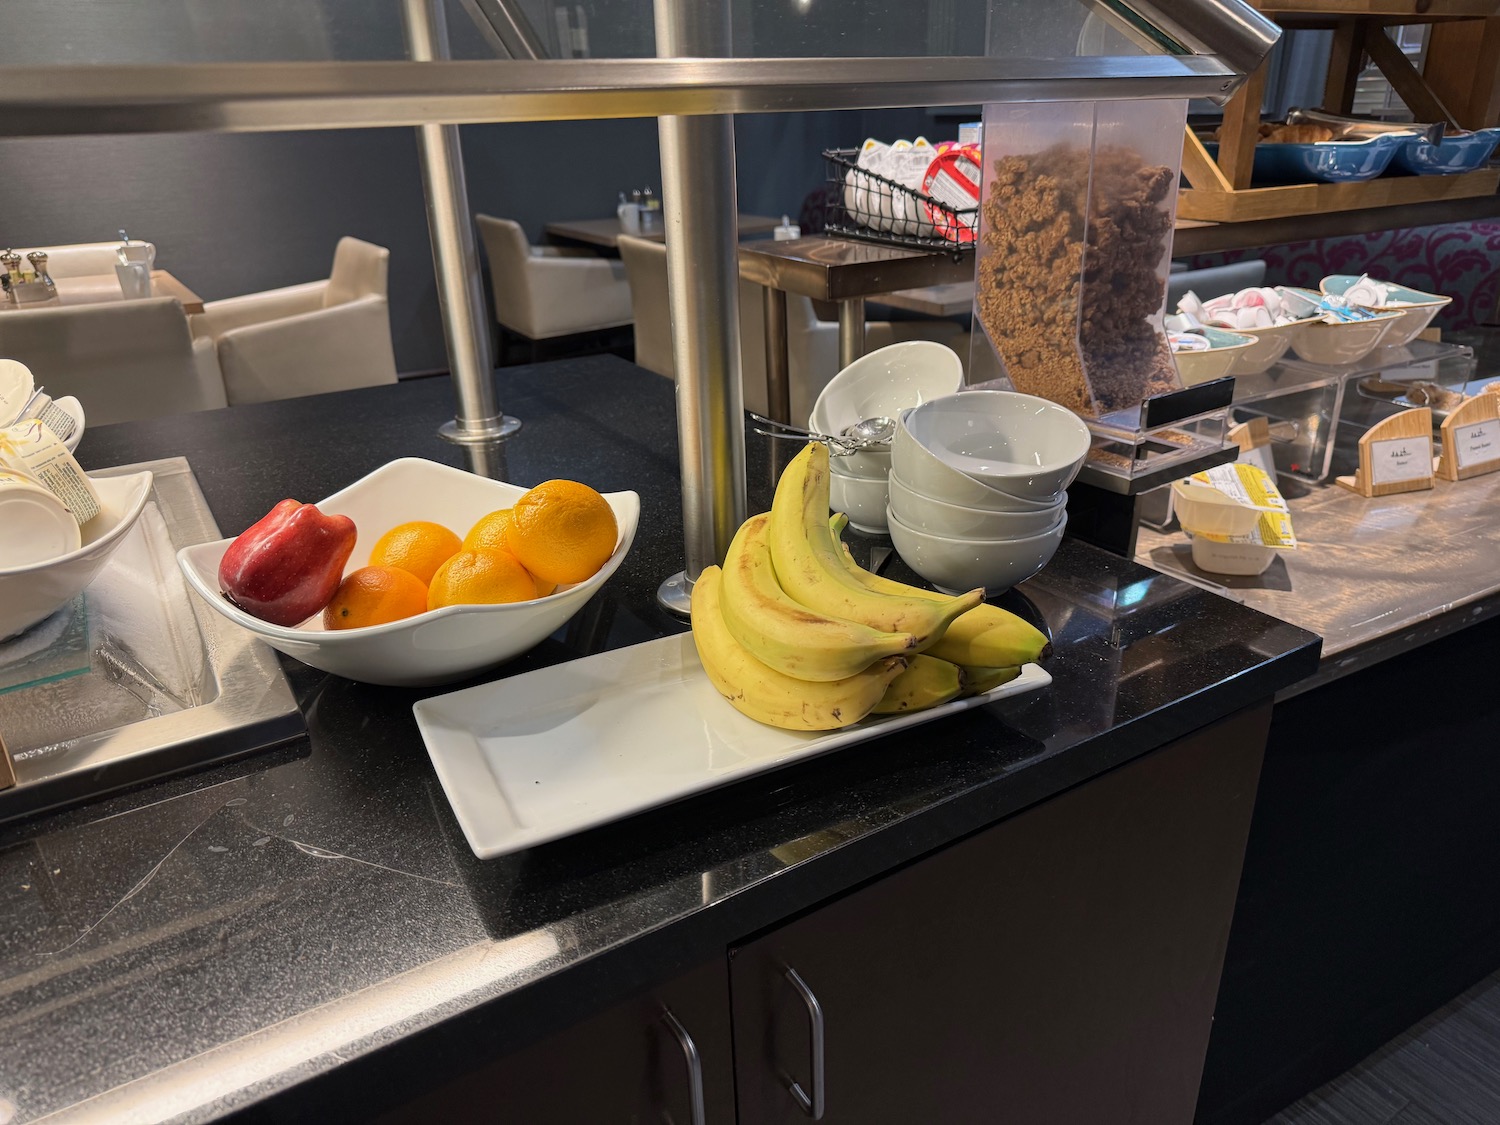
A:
[125,361]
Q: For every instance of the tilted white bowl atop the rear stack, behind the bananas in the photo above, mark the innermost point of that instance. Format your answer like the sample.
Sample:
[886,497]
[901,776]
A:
[883,385]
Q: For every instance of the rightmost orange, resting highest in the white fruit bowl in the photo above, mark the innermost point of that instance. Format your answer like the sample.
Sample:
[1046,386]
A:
[562,532]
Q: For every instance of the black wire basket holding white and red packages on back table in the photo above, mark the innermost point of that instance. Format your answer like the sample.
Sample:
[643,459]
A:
[865,205]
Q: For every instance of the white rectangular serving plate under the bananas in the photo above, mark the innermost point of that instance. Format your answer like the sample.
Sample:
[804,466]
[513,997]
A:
[548,754]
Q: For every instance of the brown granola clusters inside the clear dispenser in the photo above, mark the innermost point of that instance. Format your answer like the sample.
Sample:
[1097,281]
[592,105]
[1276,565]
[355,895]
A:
[1069,281]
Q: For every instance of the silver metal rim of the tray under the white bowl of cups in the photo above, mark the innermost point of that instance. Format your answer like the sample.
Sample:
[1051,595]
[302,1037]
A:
[251,710]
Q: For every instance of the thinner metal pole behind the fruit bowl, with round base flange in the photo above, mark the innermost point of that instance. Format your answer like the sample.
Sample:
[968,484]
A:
[455,259]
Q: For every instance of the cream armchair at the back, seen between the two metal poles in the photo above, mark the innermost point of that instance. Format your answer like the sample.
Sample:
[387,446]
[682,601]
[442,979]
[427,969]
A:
[545,292]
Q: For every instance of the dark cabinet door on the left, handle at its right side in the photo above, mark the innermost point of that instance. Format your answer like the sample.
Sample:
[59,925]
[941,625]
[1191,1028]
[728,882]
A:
[623,1067]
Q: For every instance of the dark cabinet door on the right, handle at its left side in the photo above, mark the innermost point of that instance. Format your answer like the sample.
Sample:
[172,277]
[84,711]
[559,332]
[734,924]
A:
[1055,970]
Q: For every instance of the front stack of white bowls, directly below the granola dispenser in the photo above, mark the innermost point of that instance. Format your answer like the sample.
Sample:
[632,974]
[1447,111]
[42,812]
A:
[979,487]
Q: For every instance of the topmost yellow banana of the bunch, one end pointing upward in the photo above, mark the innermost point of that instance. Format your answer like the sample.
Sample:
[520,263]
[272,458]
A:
[811,566]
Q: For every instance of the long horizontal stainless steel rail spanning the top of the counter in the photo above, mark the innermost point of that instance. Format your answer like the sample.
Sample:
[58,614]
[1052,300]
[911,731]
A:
[50,101]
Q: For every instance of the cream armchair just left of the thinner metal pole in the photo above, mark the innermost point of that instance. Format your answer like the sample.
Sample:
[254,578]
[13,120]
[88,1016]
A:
[307,340]
